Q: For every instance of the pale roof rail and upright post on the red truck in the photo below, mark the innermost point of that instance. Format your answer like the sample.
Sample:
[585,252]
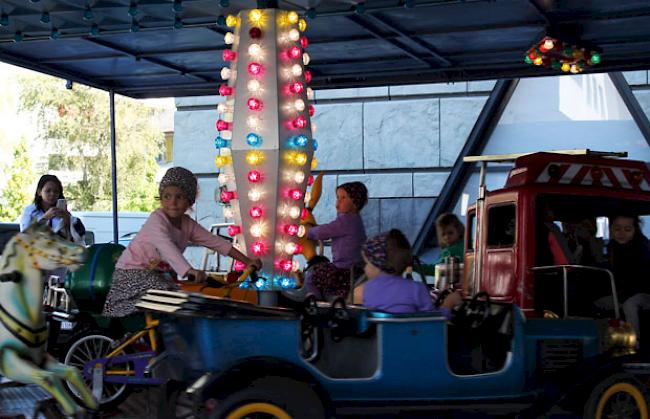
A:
[482,189]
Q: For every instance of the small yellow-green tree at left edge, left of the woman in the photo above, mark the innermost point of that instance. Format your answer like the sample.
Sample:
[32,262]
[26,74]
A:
[17,194]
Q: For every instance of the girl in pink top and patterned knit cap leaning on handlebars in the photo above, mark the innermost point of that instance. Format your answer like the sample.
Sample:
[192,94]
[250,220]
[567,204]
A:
[157,249]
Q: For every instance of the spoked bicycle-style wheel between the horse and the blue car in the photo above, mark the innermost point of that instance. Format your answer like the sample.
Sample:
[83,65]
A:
[89,347]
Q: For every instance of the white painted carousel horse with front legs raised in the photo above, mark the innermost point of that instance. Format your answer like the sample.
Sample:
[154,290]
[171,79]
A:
[23,332]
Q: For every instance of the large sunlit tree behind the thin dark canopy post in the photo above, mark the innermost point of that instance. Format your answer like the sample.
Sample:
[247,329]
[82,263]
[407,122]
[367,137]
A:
[74,125]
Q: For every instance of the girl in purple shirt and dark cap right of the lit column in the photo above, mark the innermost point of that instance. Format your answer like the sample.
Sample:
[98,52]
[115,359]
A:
[331,280]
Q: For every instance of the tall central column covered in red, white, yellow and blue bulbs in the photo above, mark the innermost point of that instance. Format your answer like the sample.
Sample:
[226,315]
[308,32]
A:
[272,145]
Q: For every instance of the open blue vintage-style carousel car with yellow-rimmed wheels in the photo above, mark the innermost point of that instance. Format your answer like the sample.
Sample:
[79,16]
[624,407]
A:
[237,359]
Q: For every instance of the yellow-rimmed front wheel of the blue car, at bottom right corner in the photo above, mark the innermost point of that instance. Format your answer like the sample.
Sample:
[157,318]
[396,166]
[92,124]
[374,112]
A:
[618,396]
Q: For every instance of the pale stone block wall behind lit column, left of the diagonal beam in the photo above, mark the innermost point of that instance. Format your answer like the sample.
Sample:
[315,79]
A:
[401,141]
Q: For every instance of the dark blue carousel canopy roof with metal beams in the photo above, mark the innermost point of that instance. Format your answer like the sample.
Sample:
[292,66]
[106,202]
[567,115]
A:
[154,48]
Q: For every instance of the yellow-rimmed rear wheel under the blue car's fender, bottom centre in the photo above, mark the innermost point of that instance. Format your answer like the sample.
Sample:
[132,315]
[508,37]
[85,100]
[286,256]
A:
[271,397]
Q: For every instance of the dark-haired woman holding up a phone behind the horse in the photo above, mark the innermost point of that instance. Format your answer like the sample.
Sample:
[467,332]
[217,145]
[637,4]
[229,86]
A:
[50,207]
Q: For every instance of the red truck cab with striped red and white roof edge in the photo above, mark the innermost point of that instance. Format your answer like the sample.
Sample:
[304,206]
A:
[515,248]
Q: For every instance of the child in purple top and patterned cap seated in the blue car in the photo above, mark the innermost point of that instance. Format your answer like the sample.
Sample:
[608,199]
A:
[387,256]
